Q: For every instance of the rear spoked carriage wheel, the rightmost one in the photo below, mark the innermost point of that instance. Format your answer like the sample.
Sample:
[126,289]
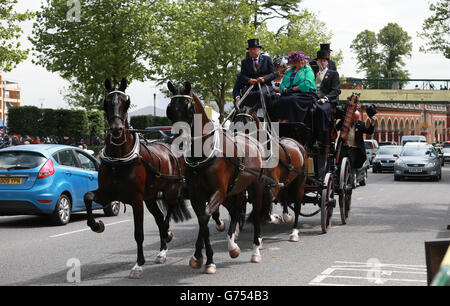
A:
[345,190]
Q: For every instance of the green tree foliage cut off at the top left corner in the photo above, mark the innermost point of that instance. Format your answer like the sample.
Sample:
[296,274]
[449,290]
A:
[11,53]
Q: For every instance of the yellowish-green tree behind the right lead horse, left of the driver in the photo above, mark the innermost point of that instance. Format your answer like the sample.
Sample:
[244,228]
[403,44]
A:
[203,42]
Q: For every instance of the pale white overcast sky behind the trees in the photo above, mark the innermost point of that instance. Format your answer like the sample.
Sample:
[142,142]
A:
[345,19]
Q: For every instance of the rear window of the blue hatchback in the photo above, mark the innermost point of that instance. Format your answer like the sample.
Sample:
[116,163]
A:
[20,160]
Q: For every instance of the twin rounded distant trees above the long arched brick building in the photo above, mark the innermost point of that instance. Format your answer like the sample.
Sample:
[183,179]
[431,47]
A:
[381,55]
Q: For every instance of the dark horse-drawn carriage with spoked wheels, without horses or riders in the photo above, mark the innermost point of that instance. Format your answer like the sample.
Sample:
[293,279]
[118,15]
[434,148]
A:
[320,189]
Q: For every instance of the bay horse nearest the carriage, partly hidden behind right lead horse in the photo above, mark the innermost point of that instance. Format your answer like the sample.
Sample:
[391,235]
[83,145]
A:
[290,171]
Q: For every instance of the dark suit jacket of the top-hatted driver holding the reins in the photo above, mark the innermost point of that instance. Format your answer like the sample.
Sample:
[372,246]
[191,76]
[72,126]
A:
[266,69]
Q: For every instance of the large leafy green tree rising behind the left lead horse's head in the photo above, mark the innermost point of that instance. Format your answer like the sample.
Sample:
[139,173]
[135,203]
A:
[111,39]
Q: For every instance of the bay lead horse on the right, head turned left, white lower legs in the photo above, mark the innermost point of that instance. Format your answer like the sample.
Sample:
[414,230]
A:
[218,178]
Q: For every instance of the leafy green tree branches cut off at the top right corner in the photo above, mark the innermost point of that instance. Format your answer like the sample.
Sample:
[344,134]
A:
[436,29]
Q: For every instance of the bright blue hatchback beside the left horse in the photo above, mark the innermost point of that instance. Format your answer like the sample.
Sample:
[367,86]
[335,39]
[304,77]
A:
[48,180]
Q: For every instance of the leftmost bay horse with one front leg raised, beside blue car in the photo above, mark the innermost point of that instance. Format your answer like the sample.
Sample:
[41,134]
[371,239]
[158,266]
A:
[133,171]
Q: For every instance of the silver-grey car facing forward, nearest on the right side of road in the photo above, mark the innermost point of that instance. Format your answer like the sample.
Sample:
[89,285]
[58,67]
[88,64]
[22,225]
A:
[417,160]
